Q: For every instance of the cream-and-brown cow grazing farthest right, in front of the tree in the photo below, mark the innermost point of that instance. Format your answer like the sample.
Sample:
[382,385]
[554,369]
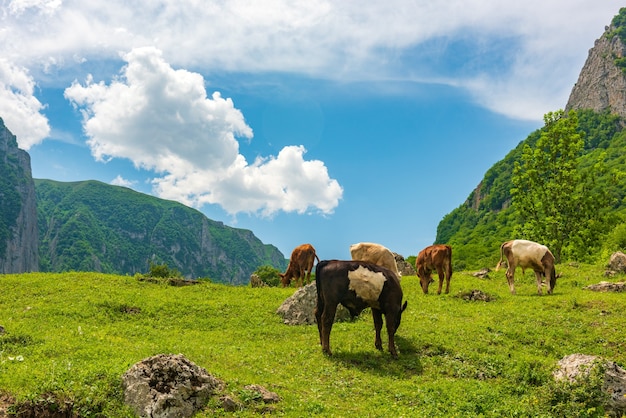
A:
[528,254]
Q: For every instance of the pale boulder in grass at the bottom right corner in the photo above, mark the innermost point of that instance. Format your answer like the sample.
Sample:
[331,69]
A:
[578,366]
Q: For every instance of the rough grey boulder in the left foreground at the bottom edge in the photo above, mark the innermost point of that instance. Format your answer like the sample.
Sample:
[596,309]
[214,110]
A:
[165,386]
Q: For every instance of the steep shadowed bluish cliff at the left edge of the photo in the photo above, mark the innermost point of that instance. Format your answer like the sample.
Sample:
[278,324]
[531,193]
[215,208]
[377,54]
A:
[19,237]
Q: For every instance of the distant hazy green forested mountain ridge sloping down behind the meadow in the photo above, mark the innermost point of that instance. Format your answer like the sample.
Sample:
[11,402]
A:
[92,226]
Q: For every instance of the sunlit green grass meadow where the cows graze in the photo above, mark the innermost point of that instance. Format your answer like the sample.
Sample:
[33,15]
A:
[71,337]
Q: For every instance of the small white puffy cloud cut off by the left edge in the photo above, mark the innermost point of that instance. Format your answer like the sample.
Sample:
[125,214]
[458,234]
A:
[19,108]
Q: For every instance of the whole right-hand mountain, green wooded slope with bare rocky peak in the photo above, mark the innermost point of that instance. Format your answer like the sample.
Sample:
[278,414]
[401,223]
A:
[477,227]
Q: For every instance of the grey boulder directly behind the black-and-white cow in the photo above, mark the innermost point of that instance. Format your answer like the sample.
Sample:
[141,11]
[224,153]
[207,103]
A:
[299,308]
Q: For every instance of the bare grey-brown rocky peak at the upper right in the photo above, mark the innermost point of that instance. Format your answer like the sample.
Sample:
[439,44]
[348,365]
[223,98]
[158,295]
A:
[601,83]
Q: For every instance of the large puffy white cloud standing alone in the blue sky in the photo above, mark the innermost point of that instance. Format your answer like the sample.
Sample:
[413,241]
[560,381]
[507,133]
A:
[161,119]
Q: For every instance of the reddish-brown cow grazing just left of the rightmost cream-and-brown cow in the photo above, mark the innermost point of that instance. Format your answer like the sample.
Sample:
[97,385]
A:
[438,257]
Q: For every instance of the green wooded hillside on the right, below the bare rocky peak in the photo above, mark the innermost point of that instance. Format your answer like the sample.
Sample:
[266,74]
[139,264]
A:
[486,219]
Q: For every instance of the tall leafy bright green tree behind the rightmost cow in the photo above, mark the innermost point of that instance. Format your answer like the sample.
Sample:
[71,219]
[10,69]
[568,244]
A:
[557,201]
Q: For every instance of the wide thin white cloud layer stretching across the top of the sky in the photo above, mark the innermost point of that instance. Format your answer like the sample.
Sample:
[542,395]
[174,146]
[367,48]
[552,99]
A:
[533,50]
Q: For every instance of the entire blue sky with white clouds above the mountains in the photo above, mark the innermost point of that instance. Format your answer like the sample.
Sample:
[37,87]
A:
[304,121]
